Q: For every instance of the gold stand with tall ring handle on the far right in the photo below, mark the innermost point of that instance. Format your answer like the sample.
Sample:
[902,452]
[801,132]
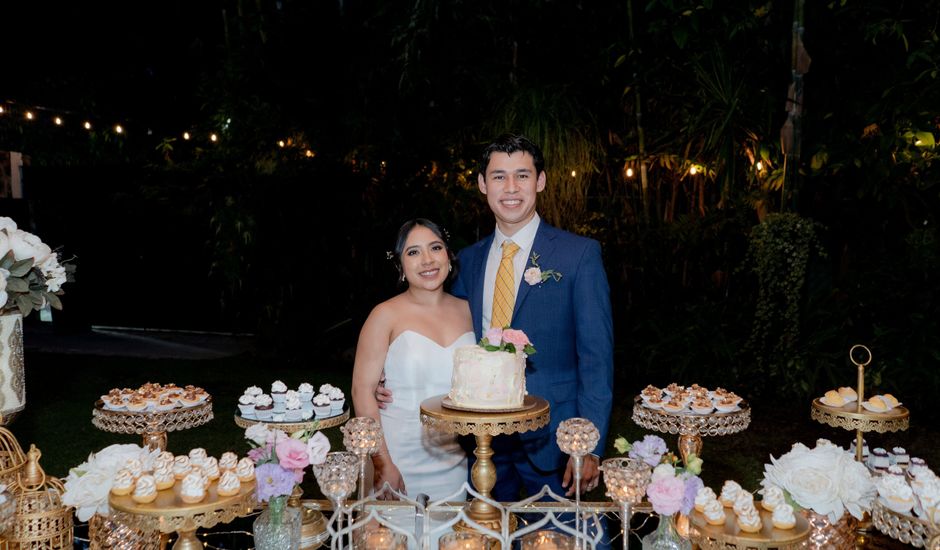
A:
[853,417]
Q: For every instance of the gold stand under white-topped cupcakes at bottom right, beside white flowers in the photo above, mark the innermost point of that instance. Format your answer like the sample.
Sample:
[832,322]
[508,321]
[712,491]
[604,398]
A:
[730,536]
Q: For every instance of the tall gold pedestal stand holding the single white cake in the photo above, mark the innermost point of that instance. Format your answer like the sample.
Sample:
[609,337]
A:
[483,426]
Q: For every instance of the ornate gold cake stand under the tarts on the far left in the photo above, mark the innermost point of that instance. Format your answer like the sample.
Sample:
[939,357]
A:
[152,425]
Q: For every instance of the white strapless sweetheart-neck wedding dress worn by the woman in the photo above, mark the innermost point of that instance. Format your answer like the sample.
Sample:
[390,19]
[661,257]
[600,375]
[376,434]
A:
[417,368]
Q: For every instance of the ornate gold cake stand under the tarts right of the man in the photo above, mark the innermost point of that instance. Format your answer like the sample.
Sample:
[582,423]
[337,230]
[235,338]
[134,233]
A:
[691,426]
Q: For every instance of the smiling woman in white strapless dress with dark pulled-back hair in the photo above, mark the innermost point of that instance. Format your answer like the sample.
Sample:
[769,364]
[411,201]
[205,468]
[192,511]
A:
[411,337]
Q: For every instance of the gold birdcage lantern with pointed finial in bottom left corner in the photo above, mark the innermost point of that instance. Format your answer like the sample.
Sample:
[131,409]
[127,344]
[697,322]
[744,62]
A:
[40,520]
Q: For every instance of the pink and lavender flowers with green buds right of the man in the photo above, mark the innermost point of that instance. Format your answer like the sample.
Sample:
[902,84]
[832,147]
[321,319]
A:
[672,487]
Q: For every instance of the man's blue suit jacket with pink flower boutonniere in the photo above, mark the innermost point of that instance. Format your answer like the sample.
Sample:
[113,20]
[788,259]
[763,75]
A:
[569,324]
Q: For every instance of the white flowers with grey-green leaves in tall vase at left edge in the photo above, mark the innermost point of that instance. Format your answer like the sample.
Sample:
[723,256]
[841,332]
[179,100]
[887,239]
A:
[30,273]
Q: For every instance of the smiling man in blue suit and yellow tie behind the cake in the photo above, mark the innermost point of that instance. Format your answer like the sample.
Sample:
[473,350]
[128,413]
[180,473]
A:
[567,318]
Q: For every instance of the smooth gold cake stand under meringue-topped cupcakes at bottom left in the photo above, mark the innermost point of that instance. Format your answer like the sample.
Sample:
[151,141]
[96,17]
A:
[170,514]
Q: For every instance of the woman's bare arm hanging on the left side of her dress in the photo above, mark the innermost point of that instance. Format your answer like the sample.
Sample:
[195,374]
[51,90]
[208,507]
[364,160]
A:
[367,370]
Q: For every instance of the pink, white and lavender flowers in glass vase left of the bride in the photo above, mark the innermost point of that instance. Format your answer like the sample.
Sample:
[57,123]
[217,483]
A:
[280,460]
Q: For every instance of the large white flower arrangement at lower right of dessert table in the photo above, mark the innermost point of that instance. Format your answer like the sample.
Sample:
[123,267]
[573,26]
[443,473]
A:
[825,479]
